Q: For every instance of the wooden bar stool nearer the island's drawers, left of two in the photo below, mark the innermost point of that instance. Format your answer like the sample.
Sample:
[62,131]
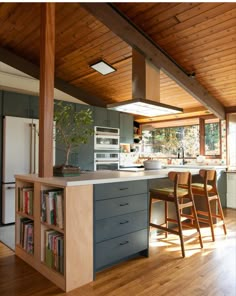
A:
[182,198]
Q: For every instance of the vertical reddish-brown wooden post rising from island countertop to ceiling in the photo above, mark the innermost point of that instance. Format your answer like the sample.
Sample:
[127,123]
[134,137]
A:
[47,64]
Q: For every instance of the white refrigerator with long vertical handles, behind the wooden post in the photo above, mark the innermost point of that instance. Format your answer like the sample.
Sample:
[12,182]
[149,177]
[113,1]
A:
[20,156]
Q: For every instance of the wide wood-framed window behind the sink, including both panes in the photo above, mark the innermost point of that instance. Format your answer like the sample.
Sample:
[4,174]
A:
[198,136]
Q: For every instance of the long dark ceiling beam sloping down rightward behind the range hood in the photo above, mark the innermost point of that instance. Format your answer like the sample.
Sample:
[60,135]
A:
[127,31]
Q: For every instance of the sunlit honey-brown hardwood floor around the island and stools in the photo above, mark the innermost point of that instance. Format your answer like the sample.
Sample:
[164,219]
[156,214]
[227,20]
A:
[210,271]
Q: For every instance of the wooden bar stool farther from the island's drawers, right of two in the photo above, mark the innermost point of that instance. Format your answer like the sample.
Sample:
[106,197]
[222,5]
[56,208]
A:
[208,190]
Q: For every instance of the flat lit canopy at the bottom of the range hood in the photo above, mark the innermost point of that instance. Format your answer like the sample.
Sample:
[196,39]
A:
[144,107]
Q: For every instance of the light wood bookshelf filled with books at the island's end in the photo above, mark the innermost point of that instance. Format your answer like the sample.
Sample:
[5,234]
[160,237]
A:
[54,229]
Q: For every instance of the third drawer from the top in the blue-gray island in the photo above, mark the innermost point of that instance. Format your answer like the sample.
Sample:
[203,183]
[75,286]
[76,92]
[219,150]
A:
[120,225]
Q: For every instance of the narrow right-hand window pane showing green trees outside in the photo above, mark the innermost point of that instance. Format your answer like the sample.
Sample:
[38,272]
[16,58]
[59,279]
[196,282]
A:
[212,136]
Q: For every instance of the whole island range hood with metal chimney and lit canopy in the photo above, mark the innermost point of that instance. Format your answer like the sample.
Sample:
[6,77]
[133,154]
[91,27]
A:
[145,91]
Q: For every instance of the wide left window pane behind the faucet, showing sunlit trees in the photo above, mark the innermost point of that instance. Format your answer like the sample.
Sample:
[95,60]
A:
[166,141]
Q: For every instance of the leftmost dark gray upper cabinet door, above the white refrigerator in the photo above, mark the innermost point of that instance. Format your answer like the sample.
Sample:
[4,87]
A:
[15,104]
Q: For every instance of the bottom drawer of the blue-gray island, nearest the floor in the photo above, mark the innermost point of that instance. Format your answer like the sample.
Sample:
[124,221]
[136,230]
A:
[113,250]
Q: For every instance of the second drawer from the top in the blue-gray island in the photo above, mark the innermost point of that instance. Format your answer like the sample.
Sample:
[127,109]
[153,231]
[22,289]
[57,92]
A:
[119,206]
